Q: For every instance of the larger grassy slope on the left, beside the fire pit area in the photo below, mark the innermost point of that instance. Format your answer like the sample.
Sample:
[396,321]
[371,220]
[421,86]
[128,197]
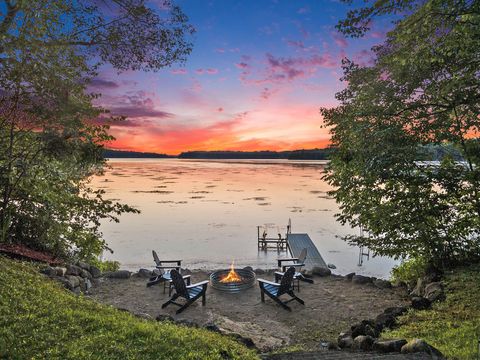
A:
[40,320]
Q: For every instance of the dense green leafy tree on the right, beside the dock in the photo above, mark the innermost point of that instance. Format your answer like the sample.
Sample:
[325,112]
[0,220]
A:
[423,89]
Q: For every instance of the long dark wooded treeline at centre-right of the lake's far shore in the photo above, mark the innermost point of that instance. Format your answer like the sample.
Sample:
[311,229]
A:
[313,154]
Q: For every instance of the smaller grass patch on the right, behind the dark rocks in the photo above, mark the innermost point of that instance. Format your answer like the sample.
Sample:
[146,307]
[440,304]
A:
[452,326]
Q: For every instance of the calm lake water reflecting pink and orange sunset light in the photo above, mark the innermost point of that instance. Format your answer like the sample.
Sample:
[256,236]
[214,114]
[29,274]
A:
[206,213]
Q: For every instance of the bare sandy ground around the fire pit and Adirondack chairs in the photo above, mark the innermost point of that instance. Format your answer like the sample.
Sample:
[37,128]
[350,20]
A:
[332,304]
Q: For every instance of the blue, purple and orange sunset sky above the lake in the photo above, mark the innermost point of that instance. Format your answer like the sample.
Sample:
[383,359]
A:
[255,80]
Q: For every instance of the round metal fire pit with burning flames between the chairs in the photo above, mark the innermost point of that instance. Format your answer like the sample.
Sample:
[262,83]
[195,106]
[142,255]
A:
[233,280]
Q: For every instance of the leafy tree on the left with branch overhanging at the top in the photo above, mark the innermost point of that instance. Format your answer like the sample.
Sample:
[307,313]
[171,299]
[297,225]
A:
[49,143]
